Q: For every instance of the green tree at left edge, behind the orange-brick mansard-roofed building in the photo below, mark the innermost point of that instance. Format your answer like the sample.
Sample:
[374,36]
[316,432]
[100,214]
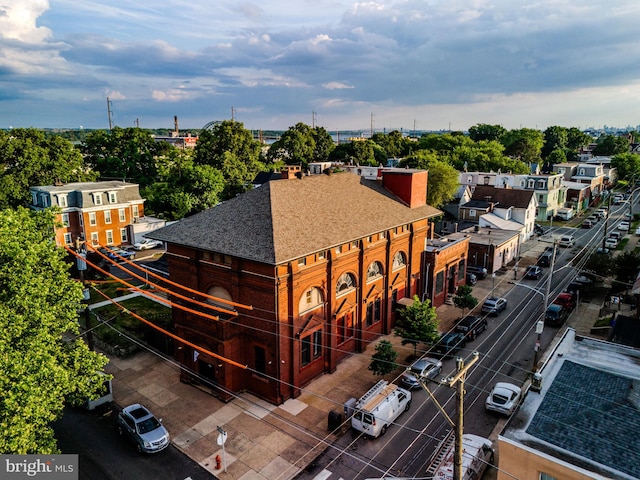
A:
[29,159]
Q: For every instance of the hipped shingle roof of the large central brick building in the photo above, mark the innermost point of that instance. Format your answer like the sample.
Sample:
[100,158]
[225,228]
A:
[287,219]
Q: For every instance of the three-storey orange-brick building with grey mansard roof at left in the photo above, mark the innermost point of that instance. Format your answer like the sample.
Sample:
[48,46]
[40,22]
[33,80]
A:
[100,212]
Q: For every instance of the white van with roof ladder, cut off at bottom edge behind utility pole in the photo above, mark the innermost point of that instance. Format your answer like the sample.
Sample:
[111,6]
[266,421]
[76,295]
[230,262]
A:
[477,454]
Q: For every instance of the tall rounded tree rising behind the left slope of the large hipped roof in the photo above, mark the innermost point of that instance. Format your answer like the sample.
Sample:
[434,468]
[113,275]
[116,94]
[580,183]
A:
[231,149]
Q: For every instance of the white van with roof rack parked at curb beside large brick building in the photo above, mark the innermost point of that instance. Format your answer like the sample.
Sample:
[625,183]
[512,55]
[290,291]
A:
[379,407]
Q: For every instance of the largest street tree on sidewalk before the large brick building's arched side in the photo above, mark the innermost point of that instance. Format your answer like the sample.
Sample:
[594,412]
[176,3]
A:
[417,323]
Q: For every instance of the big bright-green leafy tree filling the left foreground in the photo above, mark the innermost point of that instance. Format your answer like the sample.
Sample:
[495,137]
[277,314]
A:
[43,360]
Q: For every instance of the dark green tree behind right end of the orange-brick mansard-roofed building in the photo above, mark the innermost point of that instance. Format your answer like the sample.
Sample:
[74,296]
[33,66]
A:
[128,154]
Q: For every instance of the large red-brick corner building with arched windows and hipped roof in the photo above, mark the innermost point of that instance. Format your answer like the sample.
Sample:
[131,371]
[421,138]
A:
[322,260]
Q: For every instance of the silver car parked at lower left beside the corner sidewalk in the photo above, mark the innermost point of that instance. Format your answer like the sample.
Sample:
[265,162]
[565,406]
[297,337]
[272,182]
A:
[143,428]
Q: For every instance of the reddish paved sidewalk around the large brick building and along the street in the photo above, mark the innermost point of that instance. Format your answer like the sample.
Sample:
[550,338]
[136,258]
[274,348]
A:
[265,441]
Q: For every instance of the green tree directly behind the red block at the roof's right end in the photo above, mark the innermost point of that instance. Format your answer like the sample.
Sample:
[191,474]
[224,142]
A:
[442,181]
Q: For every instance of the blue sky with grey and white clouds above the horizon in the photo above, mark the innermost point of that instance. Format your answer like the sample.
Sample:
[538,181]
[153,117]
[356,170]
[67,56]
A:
[386,64]
